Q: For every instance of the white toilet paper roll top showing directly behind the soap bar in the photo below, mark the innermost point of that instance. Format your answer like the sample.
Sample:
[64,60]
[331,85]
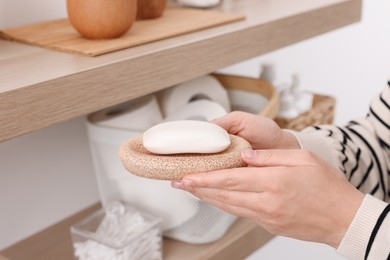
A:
[203,110]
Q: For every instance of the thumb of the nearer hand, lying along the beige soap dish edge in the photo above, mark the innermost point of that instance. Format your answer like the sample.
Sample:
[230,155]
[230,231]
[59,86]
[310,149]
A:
[288,157]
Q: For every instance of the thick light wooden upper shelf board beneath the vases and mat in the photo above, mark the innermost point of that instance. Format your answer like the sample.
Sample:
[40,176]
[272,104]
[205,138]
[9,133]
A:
[39,87]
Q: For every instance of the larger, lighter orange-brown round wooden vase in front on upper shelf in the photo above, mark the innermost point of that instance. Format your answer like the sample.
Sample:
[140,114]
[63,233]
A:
[102,19]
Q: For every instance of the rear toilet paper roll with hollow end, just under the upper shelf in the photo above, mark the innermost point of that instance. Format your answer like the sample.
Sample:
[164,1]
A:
[205,87]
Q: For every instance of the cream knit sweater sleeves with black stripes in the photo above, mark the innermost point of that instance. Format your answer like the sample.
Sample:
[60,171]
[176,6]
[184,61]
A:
[361,150]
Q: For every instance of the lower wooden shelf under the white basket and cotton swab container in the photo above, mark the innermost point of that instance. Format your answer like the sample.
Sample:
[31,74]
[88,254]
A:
[241,240]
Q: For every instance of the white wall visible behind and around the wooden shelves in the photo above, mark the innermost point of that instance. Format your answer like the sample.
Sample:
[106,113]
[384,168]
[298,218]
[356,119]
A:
[48,174]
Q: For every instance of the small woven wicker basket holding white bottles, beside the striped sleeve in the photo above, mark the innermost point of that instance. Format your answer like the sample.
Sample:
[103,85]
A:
[322,112]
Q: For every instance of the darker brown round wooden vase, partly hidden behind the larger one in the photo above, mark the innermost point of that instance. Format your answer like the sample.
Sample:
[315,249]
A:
[150,9]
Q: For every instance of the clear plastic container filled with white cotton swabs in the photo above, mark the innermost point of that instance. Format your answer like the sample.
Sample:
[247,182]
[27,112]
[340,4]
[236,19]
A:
[117,232]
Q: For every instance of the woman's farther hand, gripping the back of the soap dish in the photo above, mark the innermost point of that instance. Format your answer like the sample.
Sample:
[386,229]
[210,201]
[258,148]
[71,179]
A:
[260,132]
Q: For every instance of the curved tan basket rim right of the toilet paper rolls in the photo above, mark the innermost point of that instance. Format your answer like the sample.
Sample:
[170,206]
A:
[258,86]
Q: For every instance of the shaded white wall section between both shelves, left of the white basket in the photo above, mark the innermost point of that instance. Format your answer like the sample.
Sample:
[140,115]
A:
[44,176]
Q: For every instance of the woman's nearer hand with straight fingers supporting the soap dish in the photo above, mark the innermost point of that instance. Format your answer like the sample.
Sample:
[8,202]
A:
[289,192]
